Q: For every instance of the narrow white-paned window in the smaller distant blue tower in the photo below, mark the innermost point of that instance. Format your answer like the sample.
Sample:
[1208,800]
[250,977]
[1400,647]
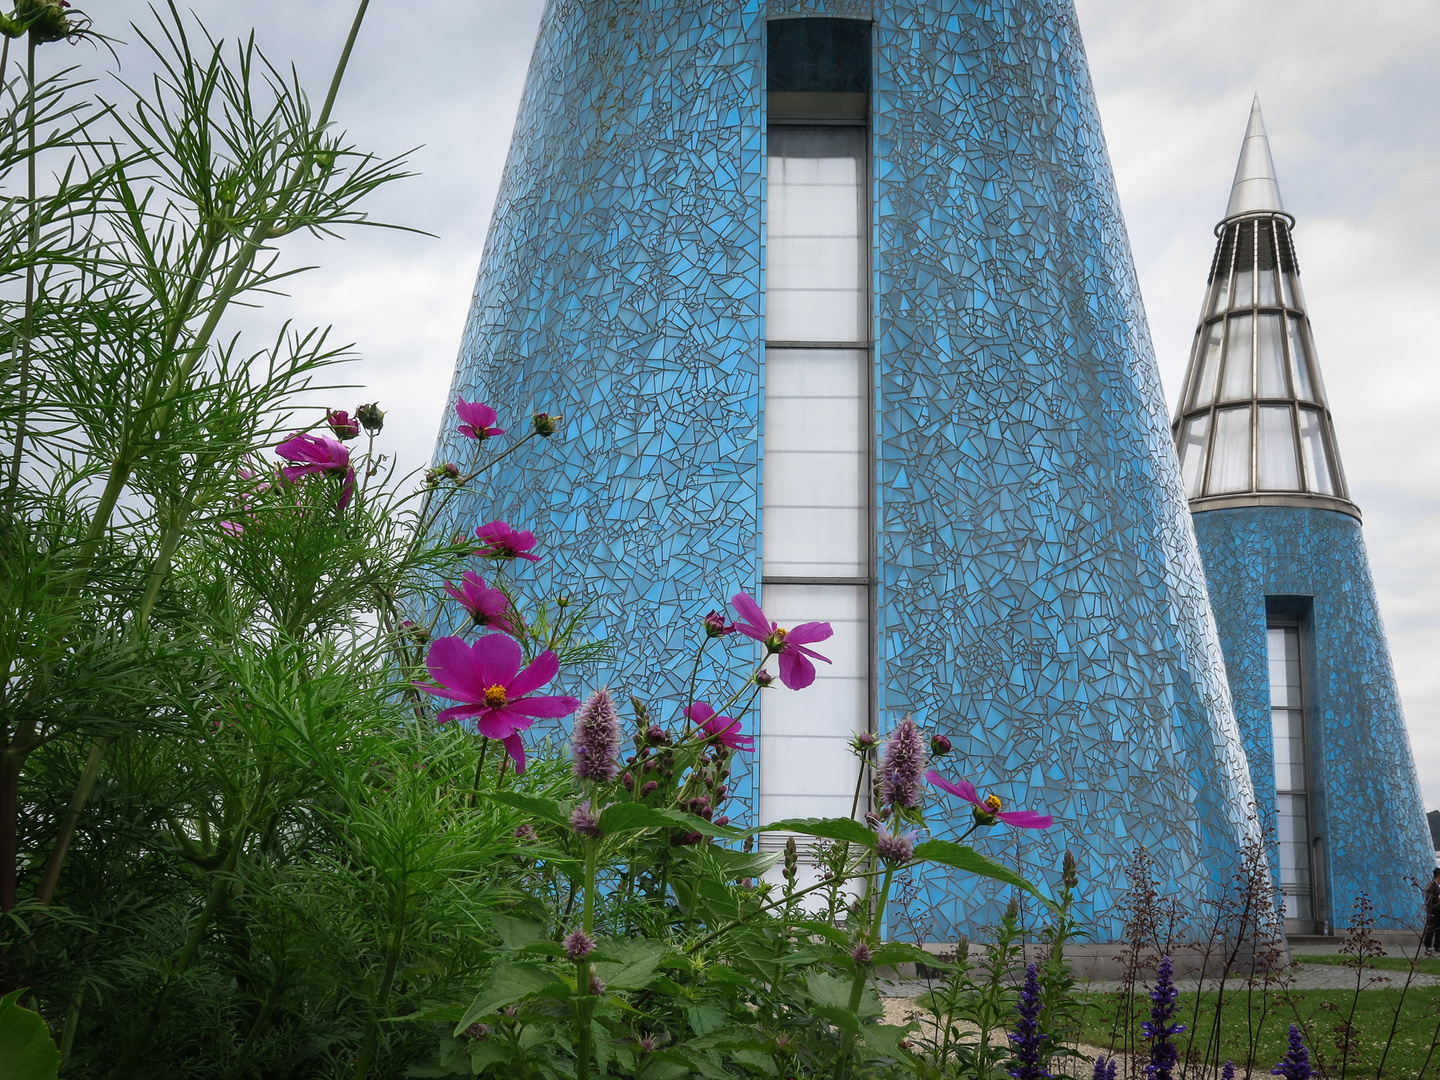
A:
[1292,787]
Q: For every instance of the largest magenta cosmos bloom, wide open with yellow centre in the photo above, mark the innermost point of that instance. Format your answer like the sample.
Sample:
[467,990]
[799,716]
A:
[487,680]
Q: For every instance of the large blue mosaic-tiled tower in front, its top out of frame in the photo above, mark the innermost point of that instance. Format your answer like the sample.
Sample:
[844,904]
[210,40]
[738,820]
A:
[937,424]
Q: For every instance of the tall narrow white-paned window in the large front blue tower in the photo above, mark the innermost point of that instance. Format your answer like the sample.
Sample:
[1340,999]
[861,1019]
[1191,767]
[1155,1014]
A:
[817,469]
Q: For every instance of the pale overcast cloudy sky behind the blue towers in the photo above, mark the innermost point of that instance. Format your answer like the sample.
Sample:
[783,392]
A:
[1351,97]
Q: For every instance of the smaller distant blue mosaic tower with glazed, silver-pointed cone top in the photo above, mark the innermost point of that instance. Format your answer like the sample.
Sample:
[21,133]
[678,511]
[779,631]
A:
[1290,580]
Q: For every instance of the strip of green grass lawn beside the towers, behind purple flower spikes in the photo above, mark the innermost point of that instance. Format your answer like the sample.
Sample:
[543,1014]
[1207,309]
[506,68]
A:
[1323,1012]
